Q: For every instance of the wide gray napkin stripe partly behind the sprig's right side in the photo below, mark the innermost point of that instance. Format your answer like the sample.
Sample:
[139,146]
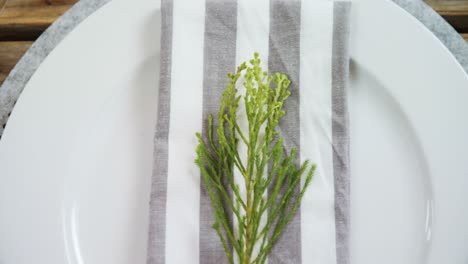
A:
[284,49]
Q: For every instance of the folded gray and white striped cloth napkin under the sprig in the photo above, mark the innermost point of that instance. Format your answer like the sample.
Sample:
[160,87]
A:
[203,40]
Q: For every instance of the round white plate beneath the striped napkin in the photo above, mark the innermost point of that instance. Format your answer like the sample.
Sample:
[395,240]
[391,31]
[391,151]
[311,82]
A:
[75,157]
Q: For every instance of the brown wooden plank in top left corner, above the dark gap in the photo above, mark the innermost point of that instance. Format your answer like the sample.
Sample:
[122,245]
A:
[27,19]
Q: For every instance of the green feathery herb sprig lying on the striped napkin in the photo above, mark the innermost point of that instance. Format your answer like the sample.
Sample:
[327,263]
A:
[272,190]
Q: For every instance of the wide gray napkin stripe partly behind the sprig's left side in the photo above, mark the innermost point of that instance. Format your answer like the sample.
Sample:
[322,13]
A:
[219,59]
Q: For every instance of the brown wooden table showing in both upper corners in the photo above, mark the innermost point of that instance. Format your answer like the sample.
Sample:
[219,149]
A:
[22,21]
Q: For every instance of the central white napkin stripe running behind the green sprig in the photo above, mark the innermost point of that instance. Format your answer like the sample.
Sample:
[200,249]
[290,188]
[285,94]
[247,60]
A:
[252,36]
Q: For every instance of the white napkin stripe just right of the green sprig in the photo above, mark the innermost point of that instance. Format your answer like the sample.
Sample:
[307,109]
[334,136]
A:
[318,215]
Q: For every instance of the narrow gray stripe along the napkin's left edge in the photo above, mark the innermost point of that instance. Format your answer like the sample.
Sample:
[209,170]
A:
[157,226]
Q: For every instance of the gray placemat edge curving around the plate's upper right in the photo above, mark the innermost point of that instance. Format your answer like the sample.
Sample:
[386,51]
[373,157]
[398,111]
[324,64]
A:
[439,27]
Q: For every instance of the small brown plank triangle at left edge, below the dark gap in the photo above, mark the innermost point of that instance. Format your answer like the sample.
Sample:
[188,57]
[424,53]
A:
[10,53]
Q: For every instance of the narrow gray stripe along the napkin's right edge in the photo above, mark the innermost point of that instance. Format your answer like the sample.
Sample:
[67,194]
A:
[340,130]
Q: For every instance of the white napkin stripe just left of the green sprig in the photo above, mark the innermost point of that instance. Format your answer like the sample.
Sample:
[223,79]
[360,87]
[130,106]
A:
[183,190]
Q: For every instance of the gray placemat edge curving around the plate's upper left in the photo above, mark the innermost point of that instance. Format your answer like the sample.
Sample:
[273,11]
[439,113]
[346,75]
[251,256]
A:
[41,48]
